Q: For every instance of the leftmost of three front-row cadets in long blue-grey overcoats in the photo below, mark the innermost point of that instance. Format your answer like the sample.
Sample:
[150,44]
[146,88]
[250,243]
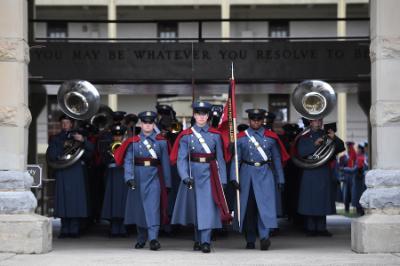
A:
[147,174]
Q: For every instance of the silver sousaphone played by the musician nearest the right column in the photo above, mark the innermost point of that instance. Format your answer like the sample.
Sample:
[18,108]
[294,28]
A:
[314,99]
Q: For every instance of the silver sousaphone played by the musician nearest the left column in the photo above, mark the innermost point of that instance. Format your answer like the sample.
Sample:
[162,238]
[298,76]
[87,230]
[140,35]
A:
[80,100]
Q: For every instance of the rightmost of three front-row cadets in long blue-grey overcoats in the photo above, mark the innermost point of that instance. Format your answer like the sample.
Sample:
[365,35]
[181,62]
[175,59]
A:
[257,152]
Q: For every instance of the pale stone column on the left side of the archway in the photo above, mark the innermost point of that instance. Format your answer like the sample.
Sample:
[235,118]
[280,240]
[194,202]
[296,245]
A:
[21,231]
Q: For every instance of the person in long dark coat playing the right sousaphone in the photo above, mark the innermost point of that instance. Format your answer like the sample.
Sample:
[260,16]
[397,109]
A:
[316,200]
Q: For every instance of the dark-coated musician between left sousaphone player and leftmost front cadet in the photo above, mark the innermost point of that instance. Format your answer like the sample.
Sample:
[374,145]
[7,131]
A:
[116,189]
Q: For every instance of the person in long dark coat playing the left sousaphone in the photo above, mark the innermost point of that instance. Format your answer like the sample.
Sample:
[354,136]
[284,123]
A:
[70,195]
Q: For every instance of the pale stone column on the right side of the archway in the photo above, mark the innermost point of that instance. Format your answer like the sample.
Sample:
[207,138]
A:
[379,229]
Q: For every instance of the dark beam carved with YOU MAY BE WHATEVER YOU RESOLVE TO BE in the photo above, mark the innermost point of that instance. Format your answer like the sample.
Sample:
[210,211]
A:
[159,62]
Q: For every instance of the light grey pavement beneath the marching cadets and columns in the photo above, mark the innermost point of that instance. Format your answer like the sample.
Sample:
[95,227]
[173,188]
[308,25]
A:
[290,247]
